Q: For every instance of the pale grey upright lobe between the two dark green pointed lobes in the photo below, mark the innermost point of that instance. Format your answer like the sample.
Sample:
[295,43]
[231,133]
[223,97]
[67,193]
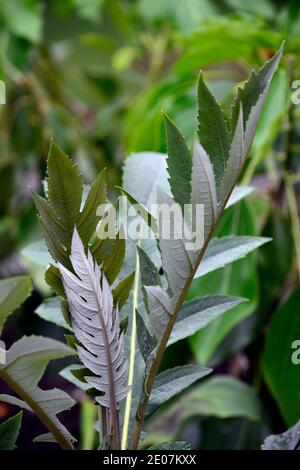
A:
[204,188]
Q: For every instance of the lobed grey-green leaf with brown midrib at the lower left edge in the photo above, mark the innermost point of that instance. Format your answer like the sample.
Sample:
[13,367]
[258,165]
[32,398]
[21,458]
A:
[25,364]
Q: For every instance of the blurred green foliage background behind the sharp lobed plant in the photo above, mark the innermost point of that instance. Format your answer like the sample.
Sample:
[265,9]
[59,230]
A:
[95,75]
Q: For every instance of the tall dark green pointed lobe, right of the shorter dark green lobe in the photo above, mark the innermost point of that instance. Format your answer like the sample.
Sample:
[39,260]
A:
[213,131]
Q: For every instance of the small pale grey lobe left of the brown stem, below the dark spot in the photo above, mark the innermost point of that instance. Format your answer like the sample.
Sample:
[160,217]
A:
[160,309]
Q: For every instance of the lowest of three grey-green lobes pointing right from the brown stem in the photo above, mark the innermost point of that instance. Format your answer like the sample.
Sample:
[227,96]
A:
[169,383]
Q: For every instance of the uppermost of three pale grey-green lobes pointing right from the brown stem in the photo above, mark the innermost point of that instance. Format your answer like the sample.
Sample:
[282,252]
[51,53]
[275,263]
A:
[225,250]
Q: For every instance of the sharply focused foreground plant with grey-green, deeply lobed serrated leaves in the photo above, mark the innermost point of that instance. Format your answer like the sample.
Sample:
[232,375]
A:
[121,312]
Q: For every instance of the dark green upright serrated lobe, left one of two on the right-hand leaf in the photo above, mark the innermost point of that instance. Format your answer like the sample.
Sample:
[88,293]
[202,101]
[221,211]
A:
[179,163]
